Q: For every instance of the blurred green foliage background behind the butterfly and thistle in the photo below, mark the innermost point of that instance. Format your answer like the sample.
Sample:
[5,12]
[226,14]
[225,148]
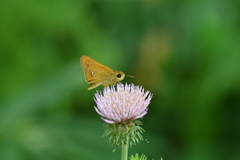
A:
[187,53]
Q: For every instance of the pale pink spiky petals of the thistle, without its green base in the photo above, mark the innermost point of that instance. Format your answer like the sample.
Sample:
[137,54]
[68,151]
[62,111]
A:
[125,103]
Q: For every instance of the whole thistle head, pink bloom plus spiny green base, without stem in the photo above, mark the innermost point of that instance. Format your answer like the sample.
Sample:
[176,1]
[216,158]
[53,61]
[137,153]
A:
[120,108]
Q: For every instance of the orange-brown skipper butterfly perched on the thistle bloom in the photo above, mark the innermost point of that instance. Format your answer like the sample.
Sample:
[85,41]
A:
[97,74]
